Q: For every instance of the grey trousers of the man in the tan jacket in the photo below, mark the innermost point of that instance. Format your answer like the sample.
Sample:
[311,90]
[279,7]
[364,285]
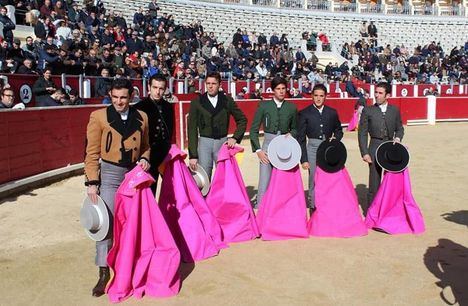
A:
[111,178]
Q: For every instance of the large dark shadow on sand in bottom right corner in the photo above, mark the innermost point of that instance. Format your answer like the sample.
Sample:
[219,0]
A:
[448,261]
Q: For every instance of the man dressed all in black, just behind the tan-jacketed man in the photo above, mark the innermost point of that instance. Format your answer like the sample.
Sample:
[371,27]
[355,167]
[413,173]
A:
[161,123]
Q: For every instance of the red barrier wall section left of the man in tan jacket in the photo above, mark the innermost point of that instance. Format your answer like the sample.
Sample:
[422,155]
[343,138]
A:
[39,140]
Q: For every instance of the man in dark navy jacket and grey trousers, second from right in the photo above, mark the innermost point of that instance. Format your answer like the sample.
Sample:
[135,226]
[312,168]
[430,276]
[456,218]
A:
[317,122]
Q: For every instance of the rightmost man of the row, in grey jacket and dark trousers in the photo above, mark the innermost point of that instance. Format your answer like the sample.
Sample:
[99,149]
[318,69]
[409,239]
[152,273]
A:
[382,122]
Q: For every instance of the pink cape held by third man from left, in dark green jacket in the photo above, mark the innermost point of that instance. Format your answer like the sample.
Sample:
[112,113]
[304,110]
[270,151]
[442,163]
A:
[228,199]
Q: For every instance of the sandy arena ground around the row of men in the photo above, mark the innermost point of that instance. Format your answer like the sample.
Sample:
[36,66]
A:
[46,259]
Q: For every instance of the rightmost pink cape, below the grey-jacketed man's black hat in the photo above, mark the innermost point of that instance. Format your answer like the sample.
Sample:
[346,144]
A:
[394,209]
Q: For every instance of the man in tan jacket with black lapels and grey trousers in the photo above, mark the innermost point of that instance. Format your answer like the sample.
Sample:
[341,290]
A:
[116,140]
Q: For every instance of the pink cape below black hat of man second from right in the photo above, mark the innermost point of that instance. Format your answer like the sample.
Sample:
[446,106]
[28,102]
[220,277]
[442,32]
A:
[337,213]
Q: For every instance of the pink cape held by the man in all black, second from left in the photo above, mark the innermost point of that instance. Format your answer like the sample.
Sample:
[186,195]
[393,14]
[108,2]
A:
[195,229]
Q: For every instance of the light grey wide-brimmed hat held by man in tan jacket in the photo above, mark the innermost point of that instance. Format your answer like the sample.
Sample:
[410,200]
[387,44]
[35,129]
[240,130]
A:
[95,219]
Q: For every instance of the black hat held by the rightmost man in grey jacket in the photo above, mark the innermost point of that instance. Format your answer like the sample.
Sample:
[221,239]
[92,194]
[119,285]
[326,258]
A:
[393,157]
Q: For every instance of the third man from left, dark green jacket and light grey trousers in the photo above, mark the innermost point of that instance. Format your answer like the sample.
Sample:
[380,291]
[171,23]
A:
[208,124]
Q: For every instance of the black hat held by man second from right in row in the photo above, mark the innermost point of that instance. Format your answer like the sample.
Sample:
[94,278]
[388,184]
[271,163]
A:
[331,156]
